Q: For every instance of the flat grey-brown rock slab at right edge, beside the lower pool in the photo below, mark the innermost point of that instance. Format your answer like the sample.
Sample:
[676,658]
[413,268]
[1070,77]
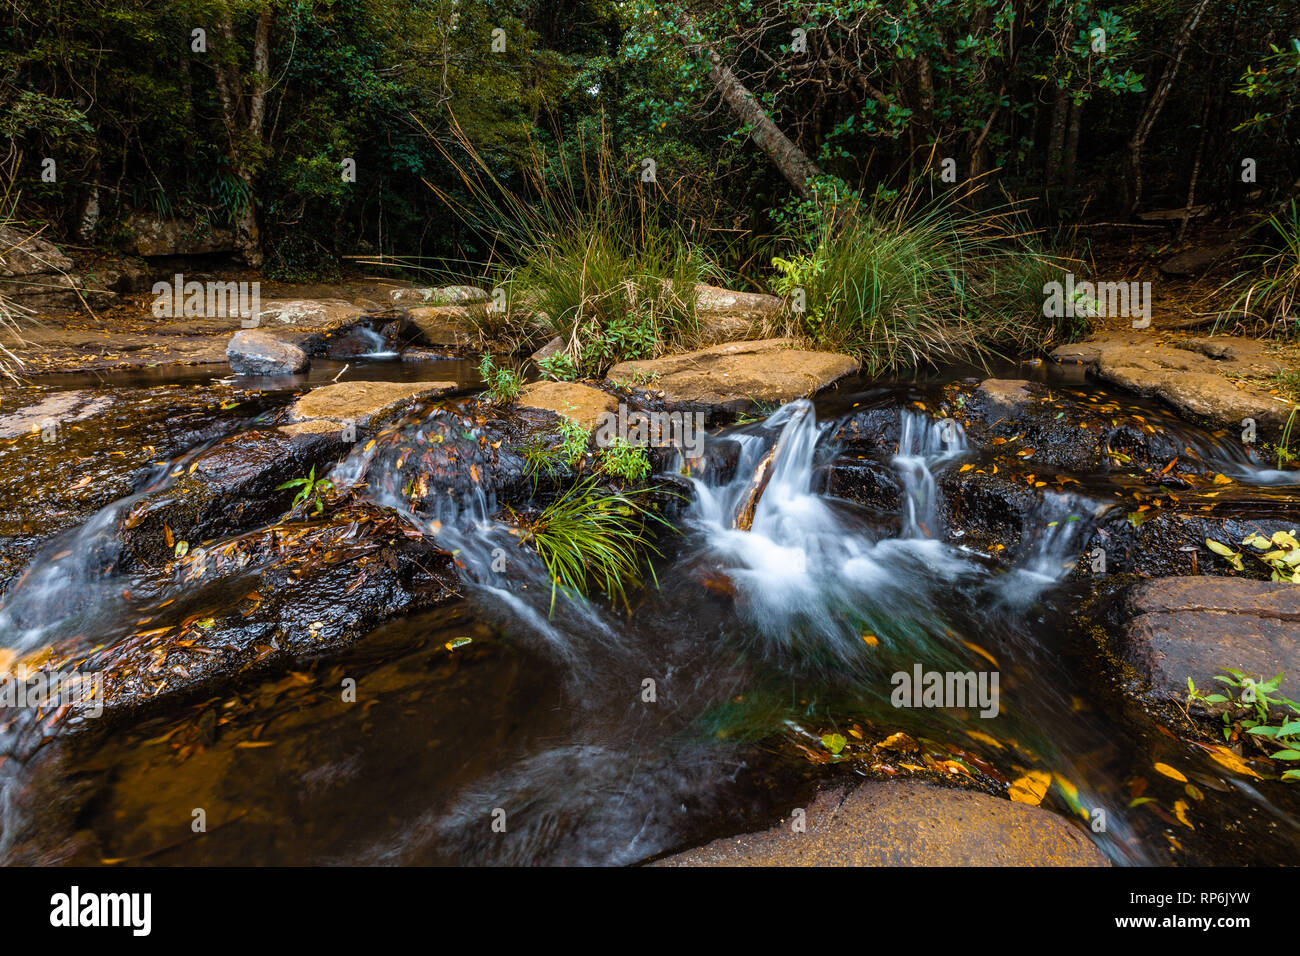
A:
[1194,628]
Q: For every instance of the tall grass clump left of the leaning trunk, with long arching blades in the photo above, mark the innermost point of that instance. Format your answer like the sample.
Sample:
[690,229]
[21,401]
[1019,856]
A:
[592,258]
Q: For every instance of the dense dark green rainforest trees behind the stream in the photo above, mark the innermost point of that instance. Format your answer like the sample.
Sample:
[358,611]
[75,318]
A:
[744,106]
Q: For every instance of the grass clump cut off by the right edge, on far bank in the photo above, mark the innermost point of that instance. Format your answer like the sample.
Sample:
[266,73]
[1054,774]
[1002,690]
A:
[1272,285]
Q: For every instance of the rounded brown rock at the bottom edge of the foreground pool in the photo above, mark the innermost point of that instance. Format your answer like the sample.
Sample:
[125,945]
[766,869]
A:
[907,824]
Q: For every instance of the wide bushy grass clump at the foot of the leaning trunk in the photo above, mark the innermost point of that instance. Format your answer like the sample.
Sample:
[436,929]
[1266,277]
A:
[903,283]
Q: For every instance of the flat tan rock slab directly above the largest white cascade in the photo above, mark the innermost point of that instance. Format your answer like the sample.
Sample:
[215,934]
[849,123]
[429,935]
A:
[736,377]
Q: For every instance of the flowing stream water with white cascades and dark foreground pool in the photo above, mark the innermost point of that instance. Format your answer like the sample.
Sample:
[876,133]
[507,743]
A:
[601,737]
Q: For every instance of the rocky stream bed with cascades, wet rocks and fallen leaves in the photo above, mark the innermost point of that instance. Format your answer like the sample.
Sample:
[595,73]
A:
[385,680]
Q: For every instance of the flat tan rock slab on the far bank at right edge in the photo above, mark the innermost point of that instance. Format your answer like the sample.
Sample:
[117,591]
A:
[1190,375]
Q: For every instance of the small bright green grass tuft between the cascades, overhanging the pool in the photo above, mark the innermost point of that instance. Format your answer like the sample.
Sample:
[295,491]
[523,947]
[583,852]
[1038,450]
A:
[591,540]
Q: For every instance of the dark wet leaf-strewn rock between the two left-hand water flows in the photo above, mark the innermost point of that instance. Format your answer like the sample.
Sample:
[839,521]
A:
[302,590]
